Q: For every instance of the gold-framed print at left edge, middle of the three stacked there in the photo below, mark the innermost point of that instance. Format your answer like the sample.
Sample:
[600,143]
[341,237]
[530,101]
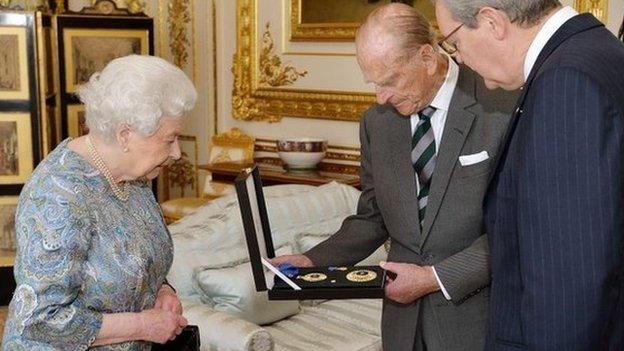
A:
[16,154]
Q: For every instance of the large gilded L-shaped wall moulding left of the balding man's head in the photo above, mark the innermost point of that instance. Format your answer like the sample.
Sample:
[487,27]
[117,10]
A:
[250,102]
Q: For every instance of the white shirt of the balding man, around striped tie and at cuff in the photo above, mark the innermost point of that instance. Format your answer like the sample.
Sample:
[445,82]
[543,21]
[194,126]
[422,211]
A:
[441,102]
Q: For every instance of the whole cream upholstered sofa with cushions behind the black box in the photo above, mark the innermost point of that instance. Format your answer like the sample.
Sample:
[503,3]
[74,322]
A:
[213,278]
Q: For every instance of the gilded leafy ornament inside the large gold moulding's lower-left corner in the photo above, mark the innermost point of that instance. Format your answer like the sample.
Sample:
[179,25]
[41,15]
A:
[271,71]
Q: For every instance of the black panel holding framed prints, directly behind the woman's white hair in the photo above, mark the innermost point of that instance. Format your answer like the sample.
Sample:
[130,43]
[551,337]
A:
[86,43]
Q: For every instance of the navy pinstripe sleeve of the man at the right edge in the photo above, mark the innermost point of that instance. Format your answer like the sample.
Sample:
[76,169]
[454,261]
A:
[570,198]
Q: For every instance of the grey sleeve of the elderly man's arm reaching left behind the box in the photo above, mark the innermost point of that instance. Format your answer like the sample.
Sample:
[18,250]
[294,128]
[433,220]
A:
[362,233]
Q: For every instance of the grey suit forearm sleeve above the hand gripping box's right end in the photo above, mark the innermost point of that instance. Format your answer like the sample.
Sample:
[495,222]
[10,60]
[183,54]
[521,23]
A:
[466,272]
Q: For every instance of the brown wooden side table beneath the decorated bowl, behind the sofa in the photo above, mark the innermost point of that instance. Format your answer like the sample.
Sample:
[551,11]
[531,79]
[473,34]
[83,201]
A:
[273,173]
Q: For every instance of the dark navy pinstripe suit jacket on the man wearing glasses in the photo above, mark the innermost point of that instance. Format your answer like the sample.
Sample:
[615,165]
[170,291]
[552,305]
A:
[555,208]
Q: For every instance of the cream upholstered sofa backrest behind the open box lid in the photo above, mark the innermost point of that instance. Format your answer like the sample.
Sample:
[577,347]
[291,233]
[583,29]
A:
[214,236]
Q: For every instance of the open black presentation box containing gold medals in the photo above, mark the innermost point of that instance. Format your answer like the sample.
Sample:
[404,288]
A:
[345,282]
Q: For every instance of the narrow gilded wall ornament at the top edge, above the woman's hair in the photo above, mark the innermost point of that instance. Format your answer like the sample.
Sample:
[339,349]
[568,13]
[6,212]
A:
[178,20]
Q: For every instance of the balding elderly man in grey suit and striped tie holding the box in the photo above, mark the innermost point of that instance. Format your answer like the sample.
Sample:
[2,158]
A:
[427,147]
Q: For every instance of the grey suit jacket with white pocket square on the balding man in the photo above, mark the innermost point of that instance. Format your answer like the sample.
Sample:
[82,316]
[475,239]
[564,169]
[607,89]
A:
[452,238]
